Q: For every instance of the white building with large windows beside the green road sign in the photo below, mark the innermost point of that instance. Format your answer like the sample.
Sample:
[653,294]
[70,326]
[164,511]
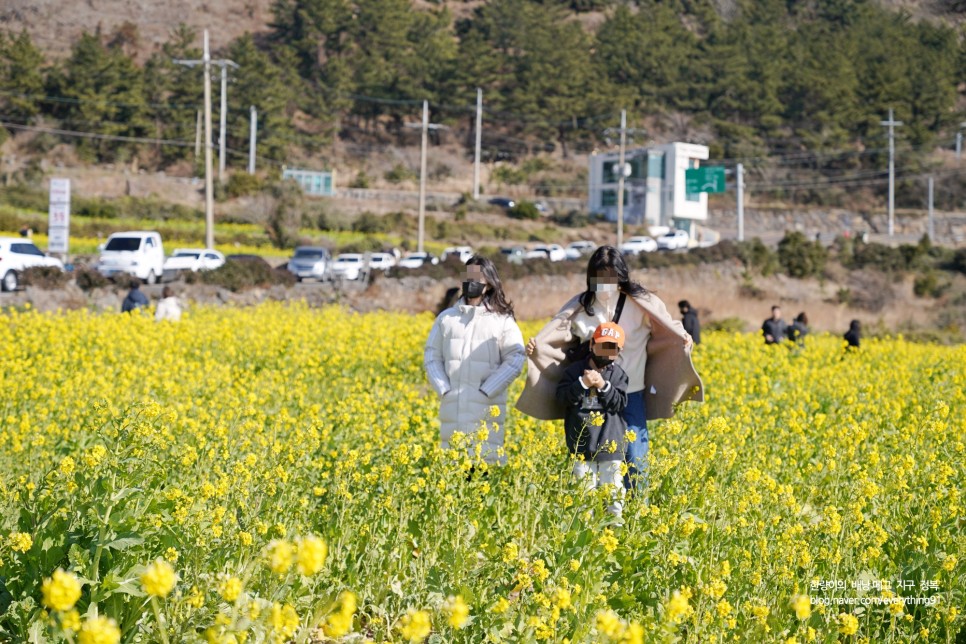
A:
[654,193]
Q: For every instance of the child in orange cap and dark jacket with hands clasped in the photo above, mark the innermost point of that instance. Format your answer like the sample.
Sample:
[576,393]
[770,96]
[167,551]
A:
[595,394]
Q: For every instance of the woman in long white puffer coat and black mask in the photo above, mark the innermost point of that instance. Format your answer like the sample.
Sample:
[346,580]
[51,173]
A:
[473,353]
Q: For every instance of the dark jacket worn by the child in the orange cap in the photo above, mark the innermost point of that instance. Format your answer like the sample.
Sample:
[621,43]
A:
[583,437]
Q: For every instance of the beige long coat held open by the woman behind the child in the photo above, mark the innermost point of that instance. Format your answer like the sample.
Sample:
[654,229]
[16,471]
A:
[669,376]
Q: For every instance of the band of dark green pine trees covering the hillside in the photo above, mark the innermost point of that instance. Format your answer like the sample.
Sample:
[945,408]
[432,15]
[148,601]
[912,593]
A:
[781,85]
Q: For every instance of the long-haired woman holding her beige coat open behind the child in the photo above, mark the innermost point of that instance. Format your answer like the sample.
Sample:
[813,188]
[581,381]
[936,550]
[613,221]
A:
[656,356]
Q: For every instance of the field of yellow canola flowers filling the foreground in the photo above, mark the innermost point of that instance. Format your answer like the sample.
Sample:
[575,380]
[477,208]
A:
[273,474]
